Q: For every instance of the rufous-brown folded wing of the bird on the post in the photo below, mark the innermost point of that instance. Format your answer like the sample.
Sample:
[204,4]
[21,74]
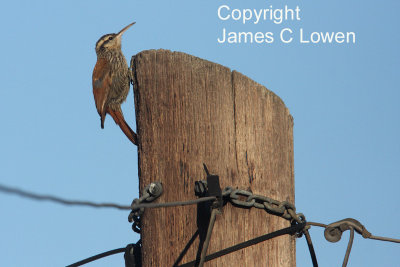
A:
[101,81]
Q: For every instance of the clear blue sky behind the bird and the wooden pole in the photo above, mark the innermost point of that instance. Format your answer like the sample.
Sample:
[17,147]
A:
[343,97]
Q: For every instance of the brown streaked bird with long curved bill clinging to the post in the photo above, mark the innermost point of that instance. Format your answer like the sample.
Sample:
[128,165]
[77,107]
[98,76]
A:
[111,81]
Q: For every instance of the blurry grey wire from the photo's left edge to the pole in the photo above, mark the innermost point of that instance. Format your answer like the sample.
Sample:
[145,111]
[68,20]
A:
[30,195]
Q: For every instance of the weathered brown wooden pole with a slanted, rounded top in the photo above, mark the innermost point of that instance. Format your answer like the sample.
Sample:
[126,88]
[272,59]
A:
[190,111]
